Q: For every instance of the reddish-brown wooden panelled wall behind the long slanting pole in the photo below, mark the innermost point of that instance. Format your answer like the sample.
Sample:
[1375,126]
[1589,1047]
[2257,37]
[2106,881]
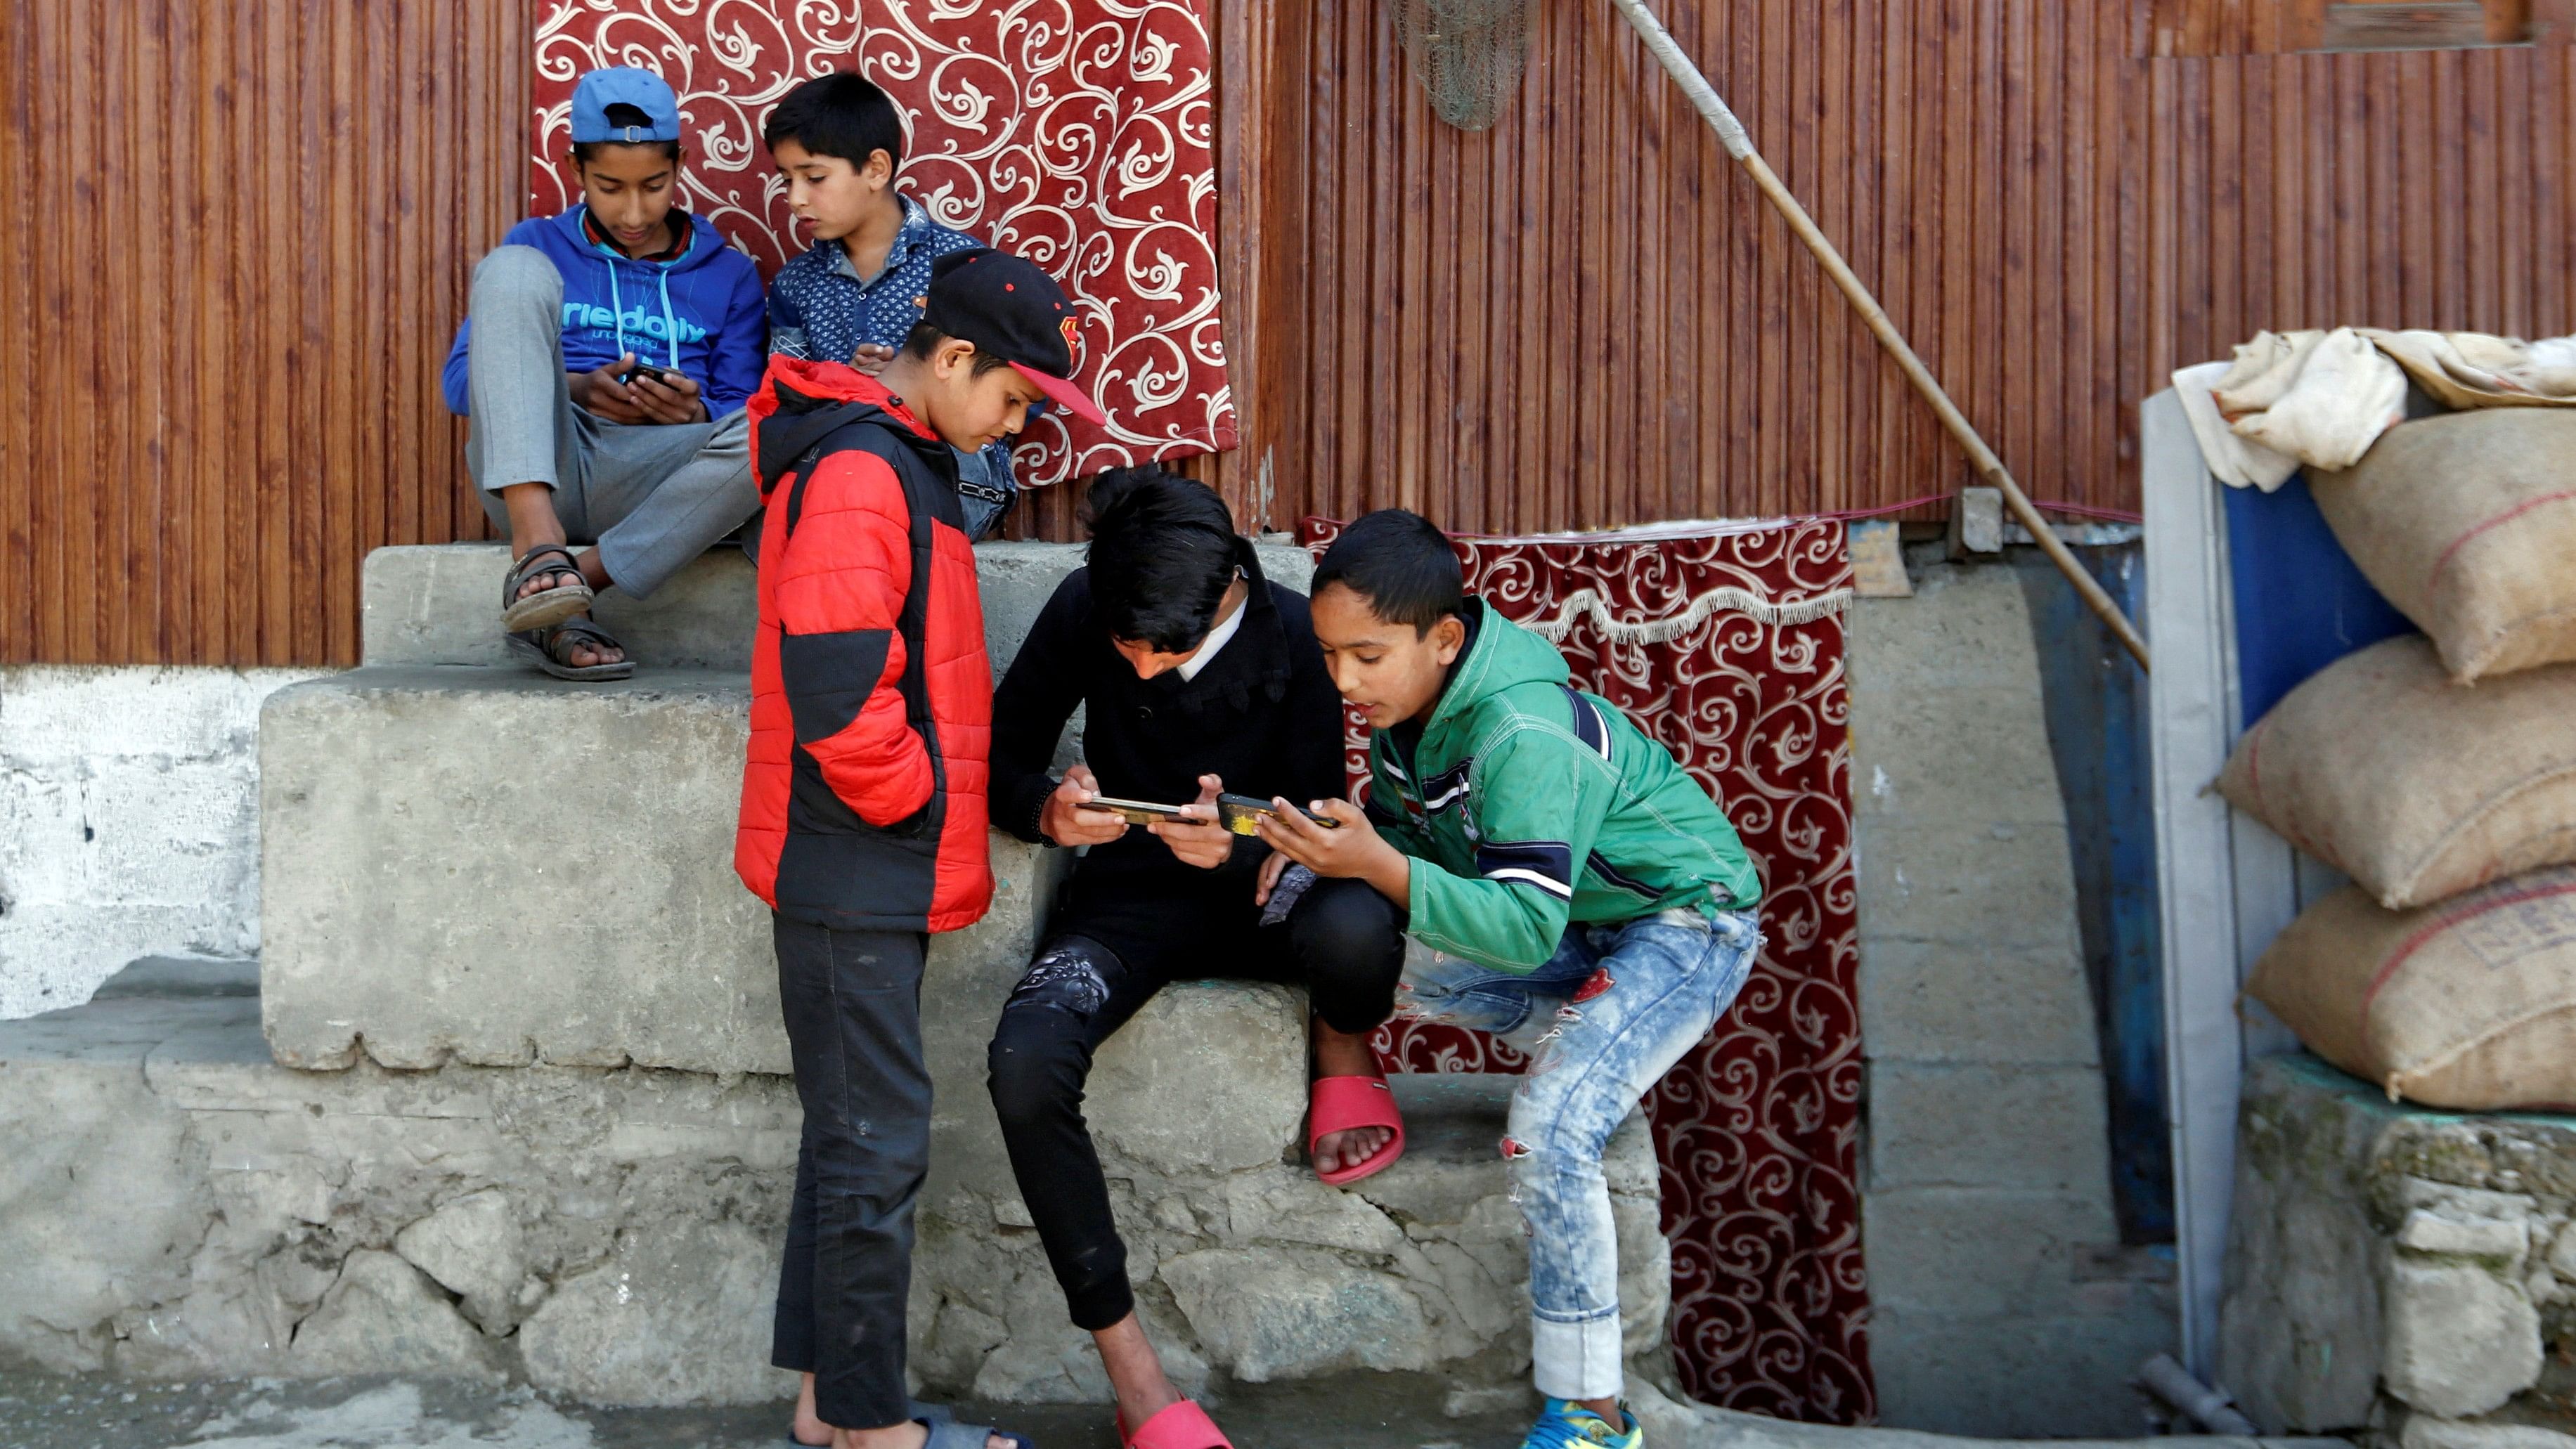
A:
[1588,318]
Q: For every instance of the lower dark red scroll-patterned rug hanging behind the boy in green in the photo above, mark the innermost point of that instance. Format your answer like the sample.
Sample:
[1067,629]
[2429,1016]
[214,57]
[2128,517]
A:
[1727,645]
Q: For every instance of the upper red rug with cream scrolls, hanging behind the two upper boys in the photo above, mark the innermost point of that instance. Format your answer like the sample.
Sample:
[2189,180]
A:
[1075,133]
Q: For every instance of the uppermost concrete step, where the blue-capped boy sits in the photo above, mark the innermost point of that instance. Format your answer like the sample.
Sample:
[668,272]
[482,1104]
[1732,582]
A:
[439,604]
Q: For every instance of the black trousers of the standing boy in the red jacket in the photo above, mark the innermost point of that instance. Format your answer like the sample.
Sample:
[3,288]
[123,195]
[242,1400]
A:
[854,1008]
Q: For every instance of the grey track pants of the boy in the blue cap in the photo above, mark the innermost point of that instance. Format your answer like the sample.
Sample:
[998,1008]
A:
[650,495]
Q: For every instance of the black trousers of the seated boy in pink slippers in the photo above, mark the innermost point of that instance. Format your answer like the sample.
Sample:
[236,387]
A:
[1343,943]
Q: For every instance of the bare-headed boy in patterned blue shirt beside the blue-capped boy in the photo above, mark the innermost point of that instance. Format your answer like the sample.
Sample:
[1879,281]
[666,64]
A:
[859,290]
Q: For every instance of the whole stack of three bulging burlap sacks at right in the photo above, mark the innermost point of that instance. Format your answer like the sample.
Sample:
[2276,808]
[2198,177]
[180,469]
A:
[2441,776]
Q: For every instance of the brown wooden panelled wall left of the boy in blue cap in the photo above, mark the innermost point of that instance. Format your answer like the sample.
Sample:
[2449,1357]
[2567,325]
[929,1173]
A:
[241,251]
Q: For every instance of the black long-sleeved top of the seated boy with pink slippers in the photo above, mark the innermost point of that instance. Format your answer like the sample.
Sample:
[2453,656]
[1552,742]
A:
[1264,717]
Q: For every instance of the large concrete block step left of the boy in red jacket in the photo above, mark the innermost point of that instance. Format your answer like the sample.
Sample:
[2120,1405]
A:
[501,869]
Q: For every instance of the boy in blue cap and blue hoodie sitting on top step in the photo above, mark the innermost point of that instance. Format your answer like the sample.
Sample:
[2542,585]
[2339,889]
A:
[604,367]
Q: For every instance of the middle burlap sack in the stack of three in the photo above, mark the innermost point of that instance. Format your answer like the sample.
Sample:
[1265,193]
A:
[2410,784]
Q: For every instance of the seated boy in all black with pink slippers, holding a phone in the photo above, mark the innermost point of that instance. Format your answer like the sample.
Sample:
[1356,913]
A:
[1202,678]
